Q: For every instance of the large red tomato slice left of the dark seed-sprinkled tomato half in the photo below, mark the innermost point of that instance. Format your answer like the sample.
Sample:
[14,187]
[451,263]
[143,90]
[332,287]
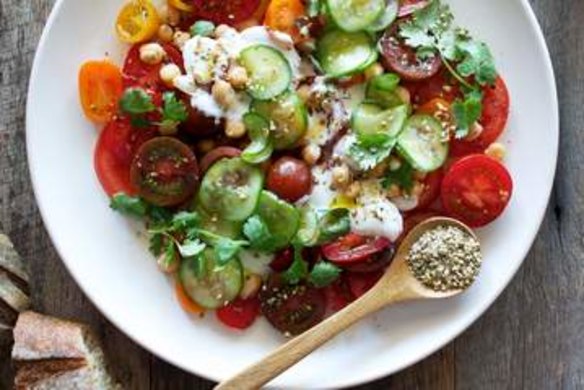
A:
[114,152]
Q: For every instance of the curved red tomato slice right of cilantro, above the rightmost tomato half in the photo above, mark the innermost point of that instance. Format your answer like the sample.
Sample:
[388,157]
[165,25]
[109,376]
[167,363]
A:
[496,104]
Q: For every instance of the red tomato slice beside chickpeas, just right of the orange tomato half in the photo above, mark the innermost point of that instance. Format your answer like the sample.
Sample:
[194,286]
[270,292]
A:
[139,74]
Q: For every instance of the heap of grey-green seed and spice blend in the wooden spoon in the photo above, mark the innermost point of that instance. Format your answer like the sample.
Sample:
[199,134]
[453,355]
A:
[445,258]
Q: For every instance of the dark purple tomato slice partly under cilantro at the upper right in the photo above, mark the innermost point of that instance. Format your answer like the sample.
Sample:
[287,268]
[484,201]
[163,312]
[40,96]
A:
[399,58]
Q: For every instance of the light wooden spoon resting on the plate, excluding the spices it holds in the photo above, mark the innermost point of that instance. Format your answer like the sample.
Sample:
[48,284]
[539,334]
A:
[397,285]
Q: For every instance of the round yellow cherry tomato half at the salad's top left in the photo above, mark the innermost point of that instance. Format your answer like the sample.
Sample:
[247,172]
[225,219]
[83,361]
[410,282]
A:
[137,21]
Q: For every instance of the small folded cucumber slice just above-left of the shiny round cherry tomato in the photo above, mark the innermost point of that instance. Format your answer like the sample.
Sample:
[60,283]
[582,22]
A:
[260,149]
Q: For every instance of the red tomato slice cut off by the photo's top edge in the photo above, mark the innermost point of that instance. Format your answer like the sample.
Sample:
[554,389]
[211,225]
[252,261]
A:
[226,12]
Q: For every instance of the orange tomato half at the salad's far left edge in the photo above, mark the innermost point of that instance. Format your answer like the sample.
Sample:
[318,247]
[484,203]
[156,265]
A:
[100,88]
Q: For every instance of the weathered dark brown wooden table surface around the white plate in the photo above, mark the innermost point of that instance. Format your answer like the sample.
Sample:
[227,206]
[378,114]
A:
[532,337]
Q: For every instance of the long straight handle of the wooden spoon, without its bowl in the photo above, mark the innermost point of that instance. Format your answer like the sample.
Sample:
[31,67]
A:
[299,347]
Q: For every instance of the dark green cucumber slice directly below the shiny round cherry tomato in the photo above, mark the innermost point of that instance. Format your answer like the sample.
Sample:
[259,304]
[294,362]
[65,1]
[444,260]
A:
[281,218]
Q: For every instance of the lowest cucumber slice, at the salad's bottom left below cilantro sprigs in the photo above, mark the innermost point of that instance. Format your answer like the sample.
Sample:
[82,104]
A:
[209,284]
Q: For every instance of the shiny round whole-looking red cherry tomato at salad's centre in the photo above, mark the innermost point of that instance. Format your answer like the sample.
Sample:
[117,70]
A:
[289,178]
